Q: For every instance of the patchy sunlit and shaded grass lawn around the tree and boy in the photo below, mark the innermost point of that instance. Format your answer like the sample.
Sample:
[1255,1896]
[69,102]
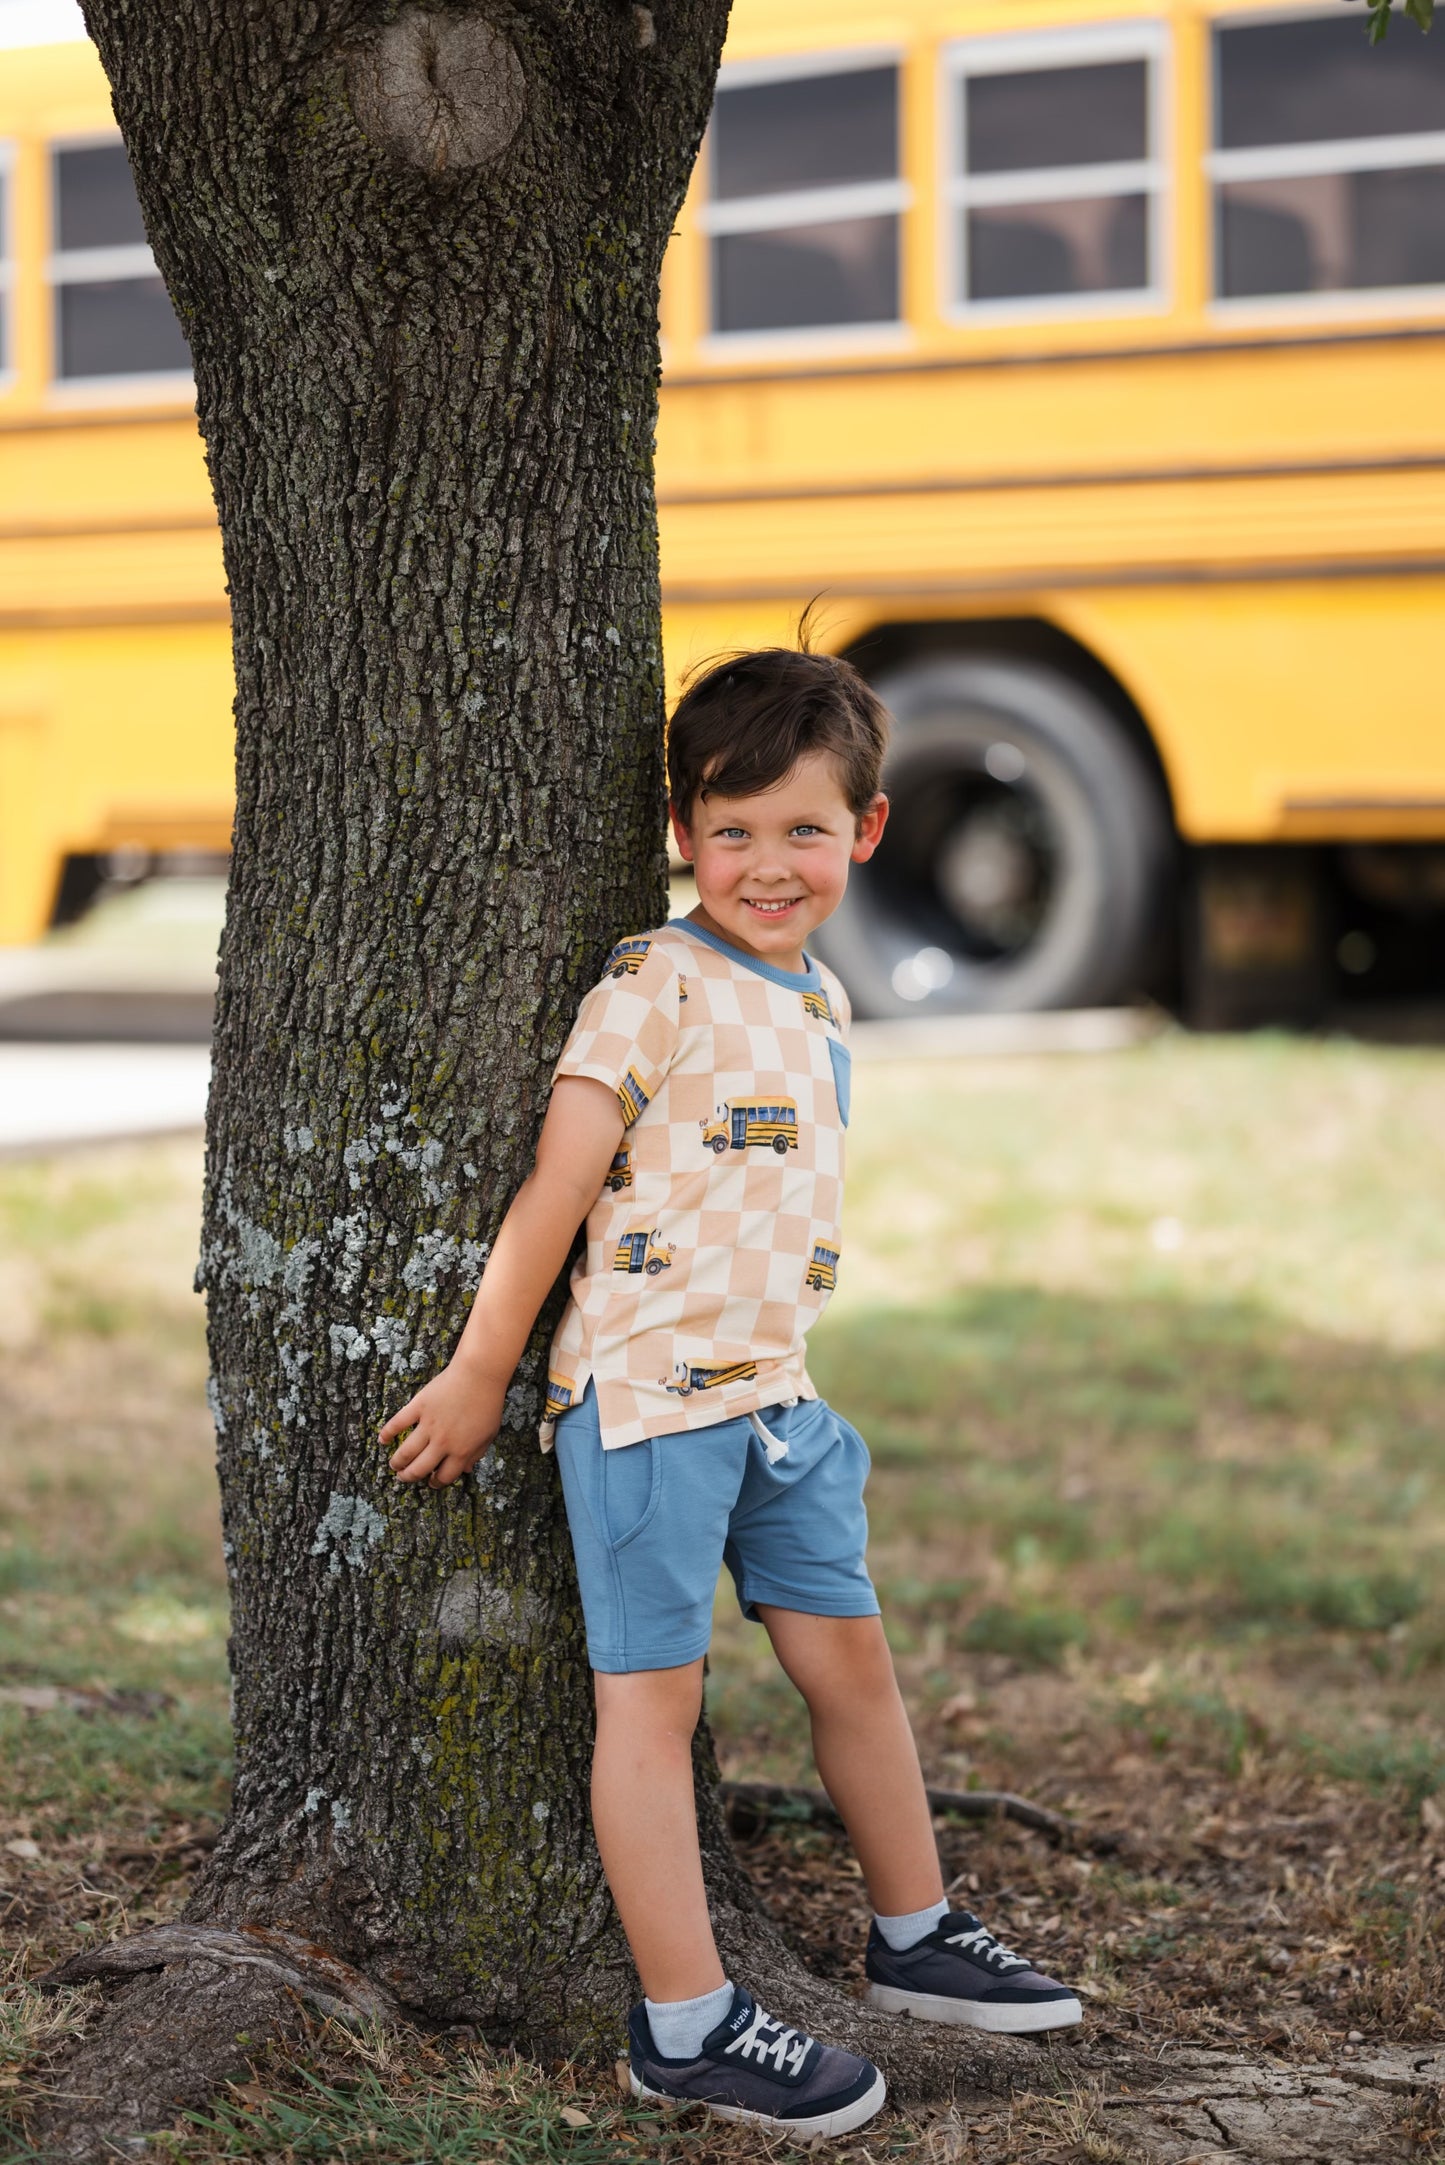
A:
[1151,1356]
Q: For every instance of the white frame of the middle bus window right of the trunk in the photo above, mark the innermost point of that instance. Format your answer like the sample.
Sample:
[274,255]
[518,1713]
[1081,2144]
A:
[1154,179]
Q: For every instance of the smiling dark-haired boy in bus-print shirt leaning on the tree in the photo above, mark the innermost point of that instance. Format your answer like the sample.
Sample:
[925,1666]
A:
[697,1125]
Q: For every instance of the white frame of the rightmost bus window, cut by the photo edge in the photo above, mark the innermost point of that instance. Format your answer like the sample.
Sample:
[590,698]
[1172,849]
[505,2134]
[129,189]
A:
[1336,304]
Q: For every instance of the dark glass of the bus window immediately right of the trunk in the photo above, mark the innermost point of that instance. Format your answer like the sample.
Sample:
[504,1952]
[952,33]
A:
[805,196]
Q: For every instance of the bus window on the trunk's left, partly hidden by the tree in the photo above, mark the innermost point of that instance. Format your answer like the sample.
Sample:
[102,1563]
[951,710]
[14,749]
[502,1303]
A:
[114,315]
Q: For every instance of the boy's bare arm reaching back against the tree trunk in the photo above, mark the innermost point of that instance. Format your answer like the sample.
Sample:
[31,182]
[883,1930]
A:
[460,1410]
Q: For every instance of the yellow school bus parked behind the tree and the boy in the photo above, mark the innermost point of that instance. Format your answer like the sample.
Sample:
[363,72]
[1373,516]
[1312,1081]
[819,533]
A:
[1080,354]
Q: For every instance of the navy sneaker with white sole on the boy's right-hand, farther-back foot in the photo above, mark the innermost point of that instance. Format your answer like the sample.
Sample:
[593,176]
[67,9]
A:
[961,1973]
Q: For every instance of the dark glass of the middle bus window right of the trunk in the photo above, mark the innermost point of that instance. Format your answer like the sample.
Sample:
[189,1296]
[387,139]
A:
[1056,170]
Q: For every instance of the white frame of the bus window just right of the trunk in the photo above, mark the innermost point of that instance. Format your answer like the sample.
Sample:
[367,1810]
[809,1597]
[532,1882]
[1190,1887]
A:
[805,207]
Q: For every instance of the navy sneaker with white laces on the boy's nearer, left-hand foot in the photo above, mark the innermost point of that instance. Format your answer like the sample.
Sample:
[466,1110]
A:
[759,2071]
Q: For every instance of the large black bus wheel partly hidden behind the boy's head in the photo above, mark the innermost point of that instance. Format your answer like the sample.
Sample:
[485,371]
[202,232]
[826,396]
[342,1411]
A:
[1078,819]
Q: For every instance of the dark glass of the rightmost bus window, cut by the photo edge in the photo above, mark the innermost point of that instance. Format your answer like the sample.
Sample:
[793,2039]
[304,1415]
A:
[1329,161]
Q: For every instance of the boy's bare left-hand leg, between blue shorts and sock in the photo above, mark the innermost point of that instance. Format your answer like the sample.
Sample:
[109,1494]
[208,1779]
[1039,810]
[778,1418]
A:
[647,1826]
